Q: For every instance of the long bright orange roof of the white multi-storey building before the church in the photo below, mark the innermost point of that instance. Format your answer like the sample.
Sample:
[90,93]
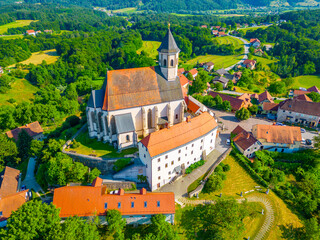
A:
[179,134]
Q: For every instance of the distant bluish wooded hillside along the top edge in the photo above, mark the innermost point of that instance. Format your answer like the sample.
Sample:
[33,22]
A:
[176,5]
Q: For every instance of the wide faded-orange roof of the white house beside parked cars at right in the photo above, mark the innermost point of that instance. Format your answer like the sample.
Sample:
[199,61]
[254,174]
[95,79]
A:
[277,134]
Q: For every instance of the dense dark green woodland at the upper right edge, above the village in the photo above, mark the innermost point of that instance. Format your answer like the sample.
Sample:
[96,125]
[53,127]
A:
[296,43]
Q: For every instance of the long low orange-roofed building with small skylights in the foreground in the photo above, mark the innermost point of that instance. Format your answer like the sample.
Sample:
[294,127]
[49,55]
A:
[94,200]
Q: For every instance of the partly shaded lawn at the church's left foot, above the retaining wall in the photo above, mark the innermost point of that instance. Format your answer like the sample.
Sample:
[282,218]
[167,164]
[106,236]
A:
[100,149]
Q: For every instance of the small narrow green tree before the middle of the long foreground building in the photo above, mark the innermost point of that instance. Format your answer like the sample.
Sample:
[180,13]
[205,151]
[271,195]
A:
[115,224]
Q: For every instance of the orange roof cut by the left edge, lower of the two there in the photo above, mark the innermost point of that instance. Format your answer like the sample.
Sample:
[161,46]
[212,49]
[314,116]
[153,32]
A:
[12,203]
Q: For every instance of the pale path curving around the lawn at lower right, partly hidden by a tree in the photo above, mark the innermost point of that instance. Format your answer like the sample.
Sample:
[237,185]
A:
[268,222]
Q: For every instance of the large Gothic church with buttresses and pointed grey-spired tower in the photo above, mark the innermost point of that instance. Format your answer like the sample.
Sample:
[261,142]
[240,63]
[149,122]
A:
[133,103]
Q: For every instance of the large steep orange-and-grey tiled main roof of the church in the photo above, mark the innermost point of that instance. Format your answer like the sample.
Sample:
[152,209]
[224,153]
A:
[127,88]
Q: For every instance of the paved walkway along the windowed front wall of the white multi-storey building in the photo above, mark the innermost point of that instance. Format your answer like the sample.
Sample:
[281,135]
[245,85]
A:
[180,186]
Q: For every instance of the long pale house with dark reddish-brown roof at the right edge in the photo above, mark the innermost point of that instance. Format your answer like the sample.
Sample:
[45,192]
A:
[299,111]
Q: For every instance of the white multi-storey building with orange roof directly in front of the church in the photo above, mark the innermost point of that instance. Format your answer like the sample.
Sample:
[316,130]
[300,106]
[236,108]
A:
[168,152]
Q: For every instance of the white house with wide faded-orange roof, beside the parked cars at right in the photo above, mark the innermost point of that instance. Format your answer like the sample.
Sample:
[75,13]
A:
[278,138]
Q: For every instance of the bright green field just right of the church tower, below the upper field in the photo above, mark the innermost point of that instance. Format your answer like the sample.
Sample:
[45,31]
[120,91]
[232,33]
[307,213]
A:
[219,60]
